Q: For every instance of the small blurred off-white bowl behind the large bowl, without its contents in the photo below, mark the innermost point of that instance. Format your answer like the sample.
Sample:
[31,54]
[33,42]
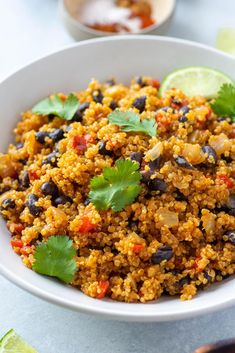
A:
[162,13]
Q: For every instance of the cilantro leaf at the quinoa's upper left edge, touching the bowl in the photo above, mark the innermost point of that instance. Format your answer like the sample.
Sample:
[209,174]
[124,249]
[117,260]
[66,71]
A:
[58,107]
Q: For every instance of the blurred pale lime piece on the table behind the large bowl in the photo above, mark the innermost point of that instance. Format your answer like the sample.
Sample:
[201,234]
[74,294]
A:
[226,40]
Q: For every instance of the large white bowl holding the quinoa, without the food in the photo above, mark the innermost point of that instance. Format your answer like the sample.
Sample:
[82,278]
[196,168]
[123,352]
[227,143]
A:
[71,69]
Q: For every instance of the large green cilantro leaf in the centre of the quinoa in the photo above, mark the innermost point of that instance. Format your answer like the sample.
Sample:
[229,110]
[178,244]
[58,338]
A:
[117,187]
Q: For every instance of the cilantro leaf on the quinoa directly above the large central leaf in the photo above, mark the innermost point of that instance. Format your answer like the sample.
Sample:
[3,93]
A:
[130,121]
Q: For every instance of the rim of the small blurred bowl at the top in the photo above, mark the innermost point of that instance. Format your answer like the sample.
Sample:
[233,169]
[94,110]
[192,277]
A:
[82,27]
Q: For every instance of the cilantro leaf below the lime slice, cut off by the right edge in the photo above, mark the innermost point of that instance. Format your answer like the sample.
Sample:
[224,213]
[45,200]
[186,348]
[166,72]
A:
[225,103]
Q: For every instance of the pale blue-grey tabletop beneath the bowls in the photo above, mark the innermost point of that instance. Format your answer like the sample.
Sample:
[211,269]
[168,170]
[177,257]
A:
[31,28]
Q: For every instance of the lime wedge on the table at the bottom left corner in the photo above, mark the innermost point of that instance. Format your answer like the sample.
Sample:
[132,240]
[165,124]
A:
[12,343]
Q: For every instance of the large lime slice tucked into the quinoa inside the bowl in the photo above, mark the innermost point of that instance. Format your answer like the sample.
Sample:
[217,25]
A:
[196,81]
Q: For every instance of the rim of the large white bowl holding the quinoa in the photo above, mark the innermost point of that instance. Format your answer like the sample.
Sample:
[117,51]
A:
[92,309]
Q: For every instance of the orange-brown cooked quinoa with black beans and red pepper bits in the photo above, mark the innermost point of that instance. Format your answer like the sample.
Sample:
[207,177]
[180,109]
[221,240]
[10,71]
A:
[176,237]
